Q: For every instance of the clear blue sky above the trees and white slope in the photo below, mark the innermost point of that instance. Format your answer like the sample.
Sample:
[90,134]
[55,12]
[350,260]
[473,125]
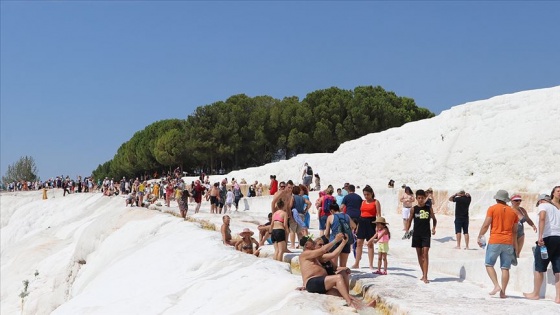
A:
[78,79]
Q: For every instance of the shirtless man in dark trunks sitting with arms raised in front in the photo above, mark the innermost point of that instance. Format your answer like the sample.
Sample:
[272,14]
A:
[315,277]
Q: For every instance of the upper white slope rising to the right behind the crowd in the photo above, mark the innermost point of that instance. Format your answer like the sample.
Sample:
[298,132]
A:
[505,142]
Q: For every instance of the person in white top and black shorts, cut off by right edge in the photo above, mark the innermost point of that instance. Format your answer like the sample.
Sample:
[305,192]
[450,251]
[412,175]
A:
[549,236]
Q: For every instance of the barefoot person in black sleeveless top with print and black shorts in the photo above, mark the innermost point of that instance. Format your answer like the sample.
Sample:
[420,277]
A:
[421,237]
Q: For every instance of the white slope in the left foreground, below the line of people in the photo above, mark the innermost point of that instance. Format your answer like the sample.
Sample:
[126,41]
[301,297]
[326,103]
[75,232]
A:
[94,256]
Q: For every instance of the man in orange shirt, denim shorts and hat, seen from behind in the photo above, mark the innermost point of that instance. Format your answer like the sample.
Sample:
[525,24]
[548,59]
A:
[502,220]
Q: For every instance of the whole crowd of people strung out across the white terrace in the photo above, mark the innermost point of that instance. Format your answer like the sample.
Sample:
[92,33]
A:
[347,224]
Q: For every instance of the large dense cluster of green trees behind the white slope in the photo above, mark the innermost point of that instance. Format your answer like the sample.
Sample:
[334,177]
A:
[243,131]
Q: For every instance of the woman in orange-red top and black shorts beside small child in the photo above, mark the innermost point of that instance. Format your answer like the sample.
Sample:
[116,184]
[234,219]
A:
[370,210]
